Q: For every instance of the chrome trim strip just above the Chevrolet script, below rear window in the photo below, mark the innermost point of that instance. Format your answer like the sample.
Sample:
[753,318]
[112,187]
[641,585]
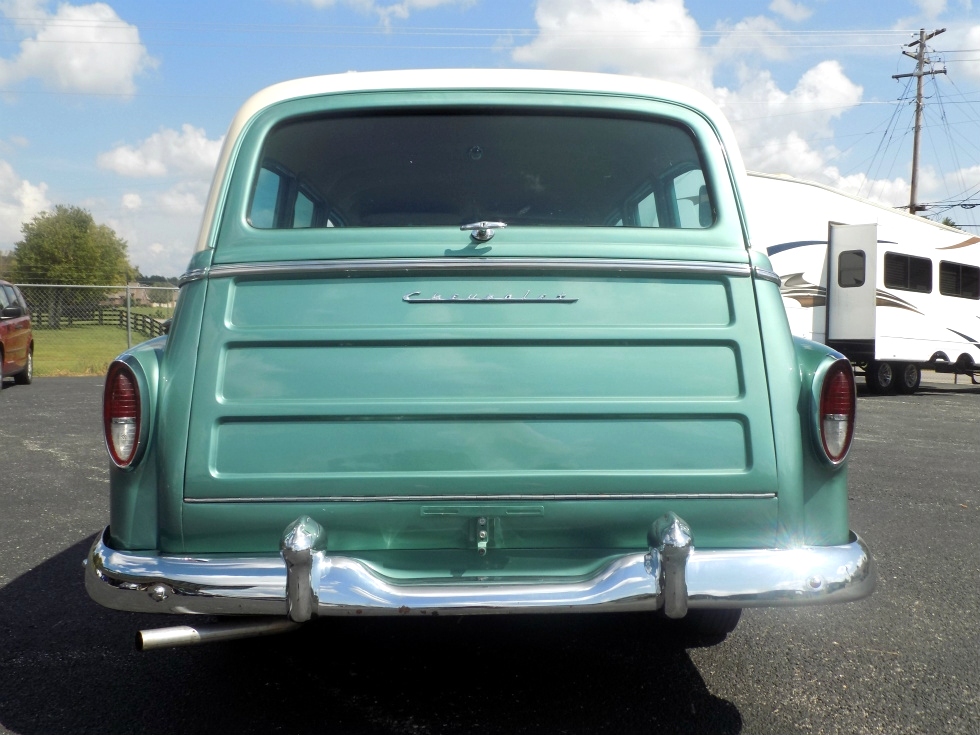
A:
[403,266]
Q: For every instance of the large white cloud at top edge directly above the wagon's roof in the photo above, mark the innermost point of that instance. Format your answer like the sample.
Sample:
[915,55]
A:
[655,38]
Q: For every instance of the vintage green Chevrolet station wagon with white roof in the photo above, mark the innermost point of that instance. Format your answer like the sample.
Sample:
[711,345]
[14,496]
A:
[472,342]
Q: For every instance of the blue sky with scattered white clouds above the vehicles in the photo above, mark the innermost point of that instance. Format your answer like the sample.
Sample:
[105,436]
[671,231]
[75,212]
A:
[120,106]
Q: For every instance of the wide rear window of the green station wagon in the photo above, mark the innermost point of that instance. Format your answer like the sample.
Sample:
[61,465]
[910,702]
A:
[433,168]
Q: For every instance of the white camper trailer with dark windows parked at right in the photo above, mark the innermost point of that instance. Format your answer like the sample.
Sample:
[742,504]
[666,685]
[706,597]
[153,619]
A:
[893,292]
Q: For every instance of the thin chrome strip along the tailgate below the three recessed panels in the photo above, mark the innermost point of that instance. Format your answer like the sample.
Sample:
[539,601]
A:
[483,498]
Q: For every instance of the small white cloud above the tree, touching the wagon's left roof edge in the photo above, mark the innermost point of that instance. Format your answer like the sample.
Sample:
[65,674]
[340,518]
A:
[187,152]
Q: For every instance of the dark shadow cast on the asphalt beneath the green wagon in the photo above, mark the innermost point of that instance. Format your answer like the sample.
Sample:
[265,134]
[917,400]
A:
[69,666]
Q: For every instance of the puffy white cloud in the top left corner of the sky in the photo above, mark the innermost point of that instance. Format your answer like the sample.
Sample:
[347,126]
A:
[79,48]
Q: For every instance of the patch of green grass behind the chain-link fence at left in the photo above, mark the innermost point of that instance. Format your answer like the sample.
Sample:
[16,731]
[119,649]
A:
[79,350]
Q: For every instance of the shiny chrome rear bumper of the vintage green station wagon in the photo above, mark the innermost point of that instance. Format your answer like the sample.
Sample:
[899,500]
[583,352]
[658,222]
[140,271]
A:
[303,582]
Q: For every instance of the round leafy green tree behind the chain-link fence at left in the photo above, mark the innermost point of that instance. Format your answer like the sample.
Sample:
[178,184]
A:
[67,247]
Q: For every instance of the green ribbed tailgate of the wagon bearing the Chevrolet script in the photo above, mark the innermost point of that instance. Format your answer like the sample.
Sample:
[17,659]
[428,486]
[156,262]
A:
[395,402]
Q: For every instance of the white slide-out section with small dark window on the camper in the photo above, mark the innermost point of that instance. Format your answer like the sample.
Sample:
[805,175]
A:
[852,255]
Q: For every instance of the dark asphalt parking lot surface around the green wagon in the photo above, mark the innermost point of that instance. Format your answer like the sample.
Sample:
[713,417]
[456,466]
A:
[906,660]
